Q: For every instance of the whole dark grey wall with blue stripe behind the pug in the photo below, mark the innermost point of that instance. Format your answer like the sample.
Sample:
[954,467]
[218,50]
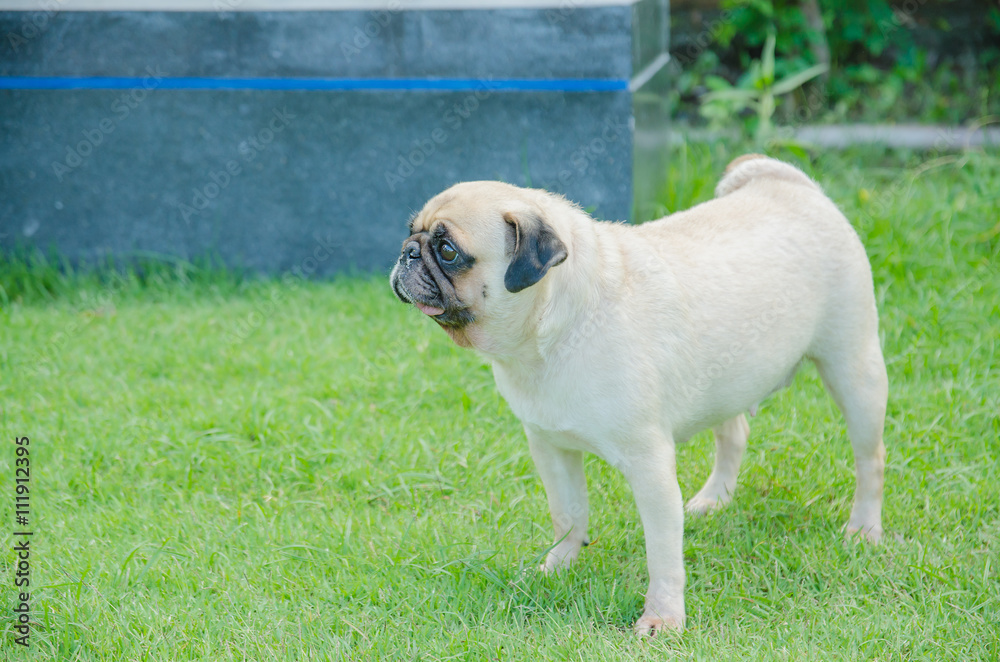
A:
[266,138]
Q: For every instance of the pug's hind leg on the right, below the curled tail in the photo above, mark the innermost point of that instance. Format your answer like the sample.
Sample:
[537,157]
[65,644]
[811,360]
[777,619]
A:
[857,380]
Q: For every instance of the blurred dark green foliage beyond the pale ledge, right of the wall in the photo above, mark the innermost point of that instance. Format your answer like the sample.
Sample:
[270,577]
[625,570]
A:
[919,61]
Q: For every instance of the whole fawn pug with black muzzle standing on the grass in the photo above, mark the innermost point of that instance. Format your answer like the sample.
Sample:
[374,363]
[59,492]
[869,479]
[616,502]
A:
[623,341]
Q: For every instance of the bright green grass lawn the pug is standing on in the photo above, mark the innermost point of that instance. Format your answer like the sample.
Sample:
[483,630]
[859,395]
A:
[228,469]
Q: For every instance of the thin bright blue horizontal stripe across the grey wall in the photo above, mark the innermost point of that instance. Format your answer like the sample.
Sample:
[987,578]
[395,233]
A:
[401,84]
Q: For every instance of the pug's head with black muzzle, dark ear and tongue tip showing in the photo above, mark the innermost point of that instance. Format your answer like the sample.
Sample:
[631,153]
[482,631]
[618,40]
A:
[472,251]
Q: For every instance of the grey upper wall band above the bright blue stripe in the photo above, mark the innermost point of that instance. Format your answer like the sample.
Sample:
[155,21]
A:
[519,43]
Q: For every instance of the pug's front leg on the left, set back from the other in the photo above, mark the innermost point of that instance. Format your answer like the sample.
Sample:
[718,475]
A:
[566,487]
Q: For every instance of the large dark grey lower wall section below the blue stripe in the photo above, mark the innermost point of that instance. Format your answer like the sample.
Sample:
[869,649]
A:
[338,167]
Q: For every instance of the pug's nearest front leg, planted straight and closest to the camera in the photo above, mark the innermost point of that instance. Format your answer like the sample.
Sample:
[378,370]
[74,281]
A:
[653,477]
